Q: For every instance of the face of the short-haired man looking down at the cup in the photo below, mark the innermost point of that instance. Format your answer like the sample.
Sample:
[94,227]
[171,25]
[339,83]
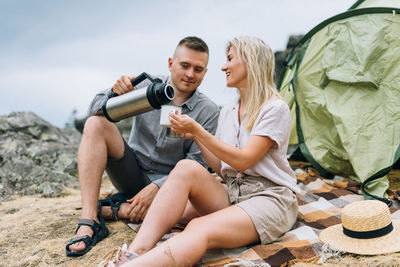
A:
[187,68]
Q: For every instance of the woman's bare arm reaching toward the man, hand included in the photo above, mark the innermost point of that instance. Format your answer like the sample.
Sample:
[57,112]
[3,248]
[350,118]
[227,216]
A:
[238,158]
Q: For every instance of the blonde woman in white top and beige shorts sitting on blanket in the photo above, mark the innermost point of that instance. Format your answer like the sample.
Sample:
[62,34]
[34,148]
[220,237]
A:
[257,203]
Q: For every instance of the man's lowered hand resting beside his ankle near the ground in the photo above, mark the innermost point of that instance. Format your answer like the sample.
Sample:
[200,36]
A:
[141,202]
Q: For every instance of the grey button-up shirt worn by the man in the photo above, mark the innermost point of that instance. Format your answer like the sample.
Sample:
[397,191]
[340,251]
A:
[157,153]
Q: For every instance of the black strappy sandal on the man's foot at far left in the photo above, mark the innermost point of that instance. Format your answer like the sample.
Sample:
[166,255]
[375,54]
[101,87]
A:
[100,232]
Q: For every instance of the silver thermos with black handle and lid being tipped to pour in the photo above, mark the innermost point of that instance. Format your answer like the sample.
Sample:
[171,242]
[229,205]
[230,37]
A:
[119,107]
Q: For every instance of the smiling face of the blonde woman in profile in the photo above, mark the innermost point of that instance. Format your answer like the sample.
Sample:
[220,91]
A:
[235,69]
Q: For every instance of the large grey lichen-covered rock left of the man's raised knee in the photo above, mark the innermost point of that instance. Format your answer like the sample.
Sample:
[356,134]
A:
[36,157]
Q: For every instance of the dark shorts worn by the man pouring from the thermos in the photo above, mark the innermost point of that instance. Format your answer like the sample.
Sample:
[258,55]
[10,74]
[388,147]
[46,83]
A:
[126,174]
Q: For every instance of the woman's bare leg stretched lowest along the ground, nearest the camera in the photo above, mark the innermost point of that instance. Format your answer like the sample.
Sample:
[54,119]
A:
[227,228]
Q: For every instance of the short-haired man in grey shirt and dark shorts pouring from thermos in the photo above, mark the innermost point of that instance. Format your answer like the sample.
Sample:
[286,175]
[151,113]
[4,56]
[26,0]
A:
[138,168]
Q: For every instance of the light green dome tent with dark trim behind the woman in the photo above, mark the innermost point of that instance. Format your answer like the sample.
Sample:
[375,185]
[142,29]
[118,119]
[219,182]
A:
[342,83]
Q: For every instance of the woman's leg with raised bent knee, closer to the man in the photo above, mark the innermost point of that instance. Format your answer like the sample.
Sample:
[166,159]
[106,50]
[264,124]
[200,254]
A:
[187,181]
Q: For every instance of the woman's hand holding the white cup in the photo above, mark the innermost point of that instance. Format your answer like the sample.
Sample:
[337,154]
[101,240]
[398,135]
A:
[184,124]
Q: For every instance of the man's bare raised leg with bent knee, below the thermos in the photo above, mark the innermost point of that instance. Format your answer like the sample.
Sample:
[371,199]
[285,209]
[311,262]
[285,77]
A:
[100,139]
